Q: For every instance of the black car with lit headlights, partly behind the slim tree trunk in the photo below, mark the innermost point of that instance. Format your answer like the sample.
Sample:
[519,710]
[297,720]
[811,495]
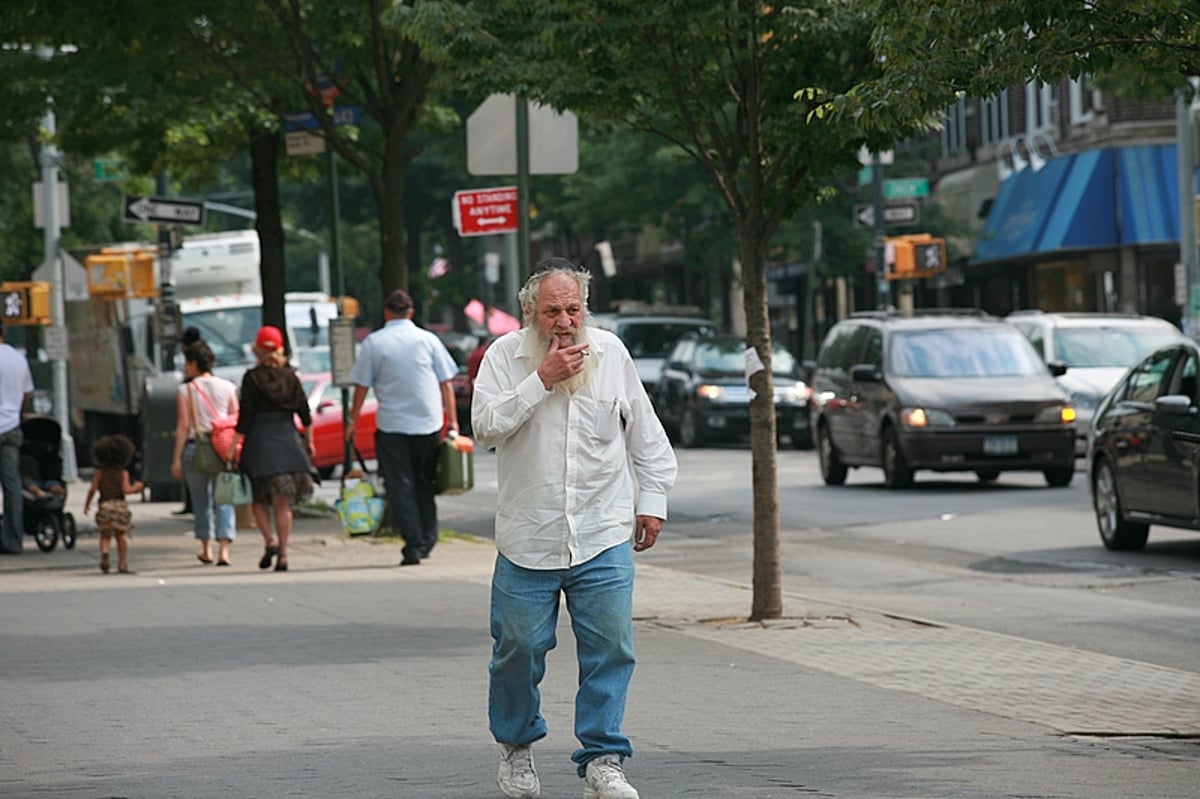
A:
[703,394]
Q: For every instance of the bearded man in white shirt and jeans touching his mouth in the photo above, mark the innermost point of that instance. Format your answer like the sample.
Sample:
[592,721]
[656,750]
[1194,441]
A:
[584,468]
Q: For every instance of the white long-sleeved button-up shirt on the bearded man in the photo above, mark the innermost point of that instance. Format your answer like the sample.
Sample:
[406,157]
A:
[573,470]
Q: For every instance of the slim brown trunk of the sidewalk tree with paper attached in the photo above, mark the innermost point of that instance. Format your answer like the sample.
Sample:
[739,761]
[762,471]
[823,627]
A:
[767,602]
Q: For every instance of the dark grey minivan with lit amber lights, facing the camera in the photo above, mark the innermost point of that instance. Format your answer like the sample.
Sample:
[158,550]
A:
[949,392]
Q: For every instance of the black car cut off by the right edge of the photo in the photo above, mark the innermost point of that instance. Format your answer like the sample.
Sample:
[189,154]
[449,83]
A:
[1144,449]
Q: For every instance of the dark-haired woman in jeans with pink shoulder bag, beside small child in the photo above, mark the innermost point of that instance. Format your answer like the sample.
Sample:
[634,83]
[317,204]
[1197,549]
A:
[200,399]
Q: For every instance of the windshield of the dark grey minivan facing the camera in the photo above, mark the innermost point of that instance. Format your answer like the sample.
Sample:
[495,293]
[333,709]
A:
[963,352]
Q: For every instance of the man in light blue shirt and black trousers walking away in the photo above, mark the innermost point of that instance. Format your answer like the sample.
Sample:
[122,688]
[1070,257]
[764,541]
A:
[410,370]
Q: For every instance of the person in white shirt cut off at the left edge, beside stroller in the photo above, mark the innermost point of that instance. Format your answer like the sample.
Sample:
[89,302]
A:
[16,386]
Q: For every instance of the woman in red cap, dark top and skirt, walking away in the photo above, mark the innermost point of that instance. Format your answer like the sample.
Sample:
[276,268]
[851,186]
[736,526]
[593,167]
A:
[277,459]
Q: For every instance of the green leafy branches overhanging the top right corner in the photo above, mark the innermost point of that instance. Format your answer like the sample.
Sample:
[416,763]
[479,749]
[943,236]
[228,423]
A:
[934,50]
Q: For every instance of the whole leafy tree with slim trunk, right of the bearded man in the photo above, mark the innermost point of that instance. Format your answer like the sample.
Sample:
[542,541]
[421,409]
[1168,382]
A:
[717,80]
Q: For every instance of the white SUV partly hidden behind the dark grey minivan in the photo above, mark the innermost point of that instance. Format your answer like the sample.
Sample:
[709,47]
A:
[1097,350]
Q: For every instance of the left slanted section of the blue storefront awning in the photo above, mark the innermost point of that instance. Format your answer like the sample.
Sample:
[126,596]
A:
[1069,205]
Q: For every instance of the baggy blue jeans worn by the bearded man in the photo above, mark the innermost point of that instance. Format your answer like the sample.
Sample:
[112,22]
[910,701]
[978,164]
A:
[525,617]
